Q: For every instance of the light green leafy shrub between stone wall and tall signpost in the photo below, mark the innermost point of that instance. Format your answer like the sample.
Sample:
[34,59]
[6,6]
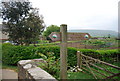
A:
[51,65]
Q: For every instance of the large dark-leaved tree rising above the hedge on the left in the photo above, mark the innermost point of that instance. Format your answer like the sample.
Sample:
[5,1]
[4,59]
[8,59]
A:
[22,22]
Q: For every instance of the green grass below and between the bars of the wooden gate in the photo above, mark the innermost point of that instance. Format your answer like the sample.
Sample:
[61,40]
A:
[87,75]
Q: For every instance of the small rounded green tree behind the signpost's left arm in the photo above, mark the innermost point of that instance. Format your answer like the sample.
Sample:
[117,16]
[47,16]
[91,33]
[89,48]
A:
[50,29]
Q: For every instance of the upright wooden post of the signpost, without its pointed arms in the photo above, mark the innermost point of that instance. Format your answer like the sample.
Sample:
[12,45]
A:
[63,52]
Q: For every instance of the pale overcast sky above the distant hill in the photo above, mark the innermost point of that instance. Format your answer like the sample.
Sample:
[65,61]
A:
[80,14]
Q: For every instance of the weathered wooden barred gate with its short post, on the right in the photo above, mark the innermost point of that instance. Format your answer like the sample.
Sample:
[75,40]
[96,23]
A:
[99,69]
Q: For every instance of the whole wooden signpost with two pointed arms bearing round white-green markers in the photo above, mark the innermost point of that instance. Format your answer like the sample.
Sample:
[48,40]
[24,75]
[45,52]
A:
[63,36]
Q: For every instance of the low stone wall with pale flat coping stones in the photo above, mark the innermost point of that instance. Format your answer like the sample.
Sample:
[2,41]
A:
[28,70]
